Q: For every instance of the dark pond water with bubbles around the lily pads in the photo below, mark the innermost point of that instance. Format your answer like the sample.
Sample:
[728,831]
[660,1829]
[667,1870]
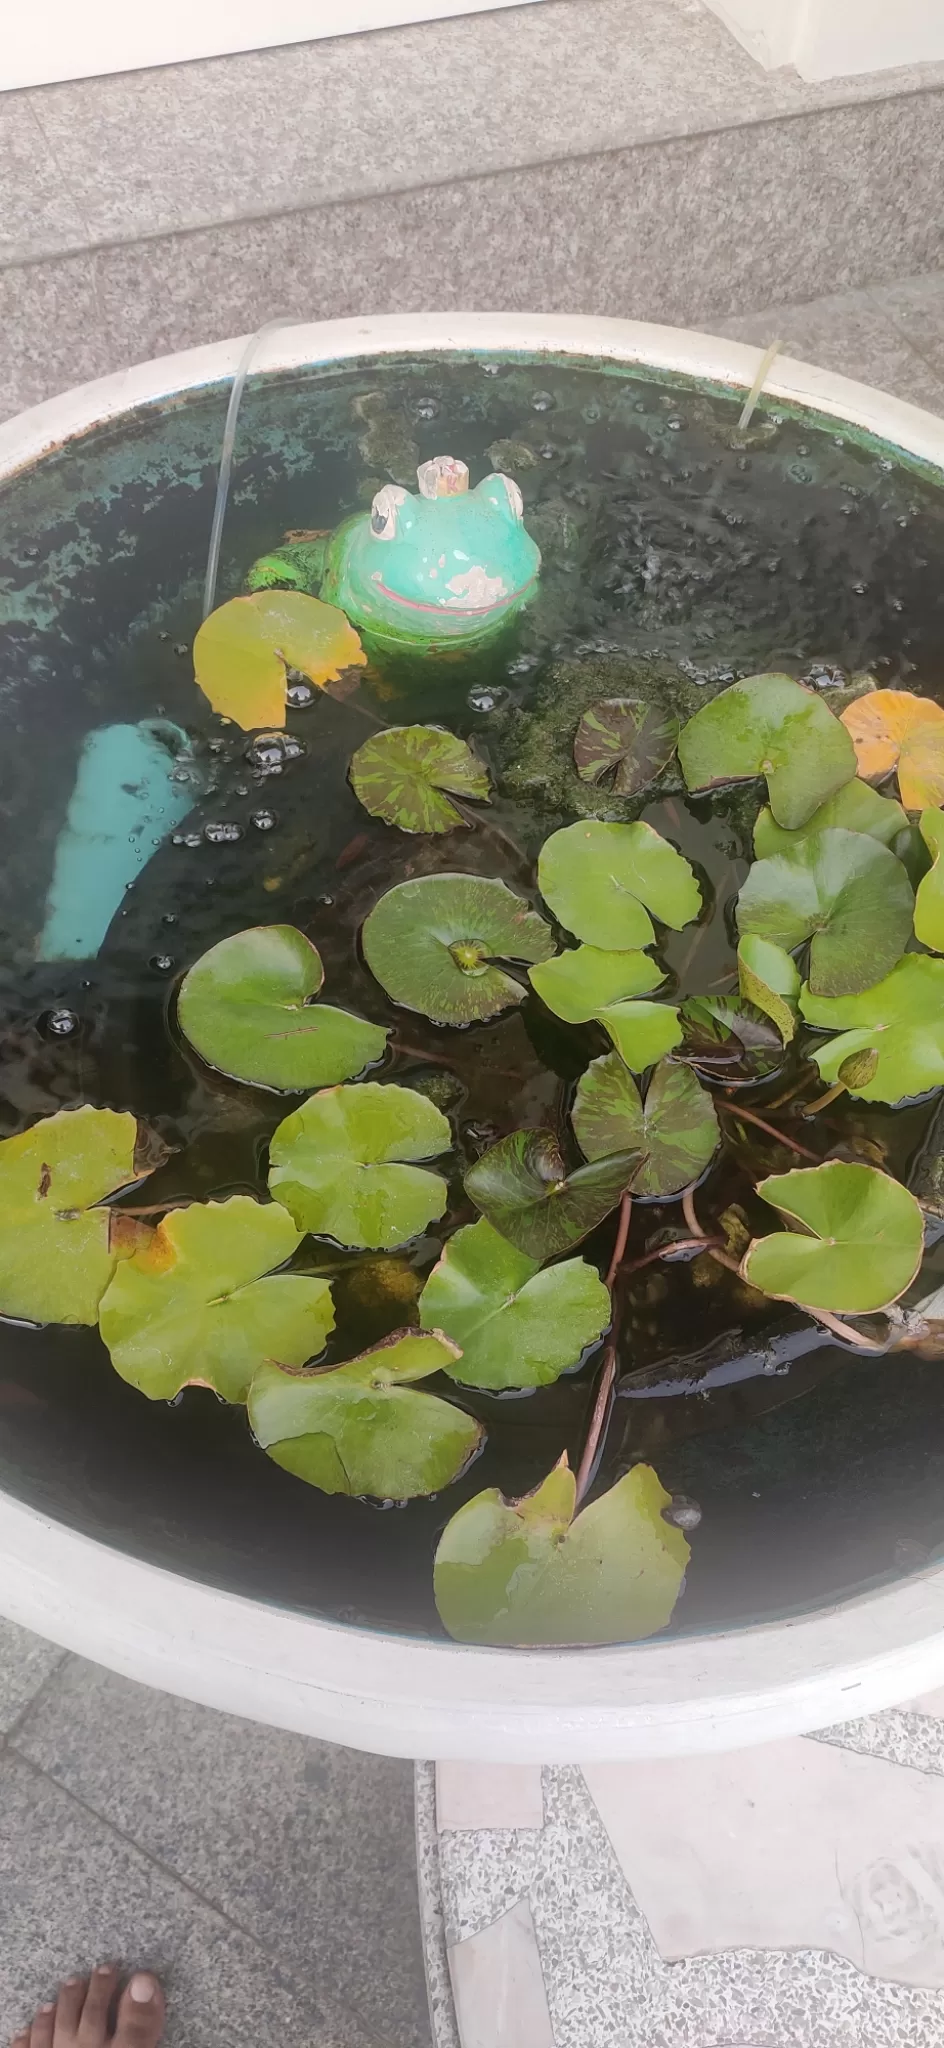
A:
[679,556]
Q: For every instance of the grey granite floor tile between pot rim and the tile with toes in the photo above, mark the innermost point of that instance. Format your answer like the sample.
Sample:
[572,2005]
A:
[306,1846]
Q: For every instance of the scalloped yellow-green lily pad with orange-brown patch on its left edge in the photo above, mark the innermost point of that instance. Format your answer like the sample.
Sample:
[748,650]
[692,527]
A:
[200,1306]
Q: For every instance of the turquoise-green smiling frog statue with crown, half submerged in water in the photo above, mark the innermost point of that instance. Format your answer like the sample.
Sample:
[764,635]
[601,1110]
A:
[431,572]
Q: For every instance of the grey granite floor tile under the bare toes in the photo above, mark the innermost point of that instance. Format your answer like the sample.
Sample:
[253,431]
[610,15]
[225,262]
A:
[75,1893]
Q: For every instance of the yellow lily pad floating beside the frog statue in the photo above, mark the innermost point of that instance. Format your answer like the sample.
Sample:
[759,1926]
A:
[245,648]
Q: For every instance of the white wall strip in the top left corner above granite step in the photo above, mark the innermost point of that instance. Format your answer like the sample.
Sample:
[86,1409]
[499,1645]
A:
[87,38]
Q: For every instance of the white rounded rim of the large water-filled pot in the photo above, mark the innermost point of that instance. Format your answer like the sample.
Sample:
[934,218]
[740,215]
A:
[427,1699]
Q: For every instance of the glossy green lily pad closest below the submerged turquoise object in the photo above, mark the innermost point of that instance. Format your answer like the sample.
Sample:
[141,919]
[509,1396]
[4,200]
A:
[249,1009]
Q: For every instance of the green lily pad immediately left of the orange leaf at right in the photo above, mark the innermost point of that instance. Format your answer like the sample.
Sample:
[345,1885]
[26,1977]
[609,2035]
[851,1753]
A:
[771,726]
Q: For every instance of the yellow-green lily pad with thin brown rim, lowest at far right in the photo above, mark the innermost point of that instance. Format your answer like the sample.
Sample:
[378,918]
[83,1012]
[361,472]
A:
[859,1242]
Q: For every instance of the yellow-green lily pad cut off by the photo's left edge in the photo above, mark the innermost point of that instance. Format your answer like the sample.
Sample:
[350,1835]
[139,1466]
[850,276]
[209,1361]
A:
[58,1250]
